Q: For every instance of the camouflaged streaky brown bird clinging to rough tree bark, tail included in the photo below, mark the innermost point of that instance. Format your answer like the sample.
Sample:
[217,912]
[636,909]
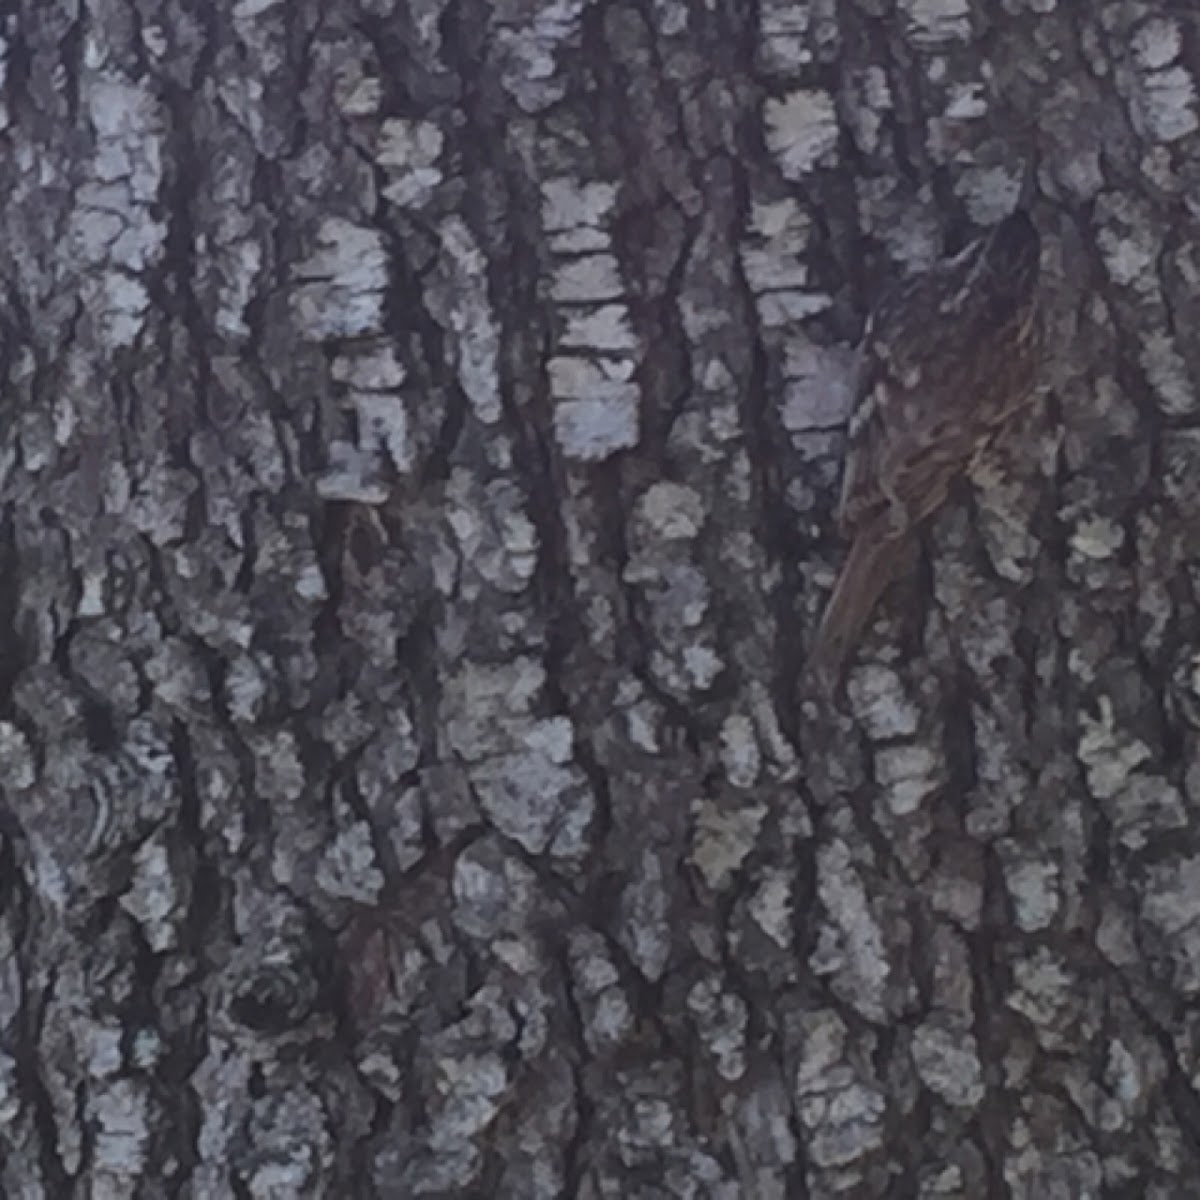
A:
[947,358]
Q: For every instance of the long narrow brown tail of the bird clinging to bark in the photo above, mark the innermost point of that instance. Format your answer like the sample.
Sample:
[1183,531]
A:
[868,569]
